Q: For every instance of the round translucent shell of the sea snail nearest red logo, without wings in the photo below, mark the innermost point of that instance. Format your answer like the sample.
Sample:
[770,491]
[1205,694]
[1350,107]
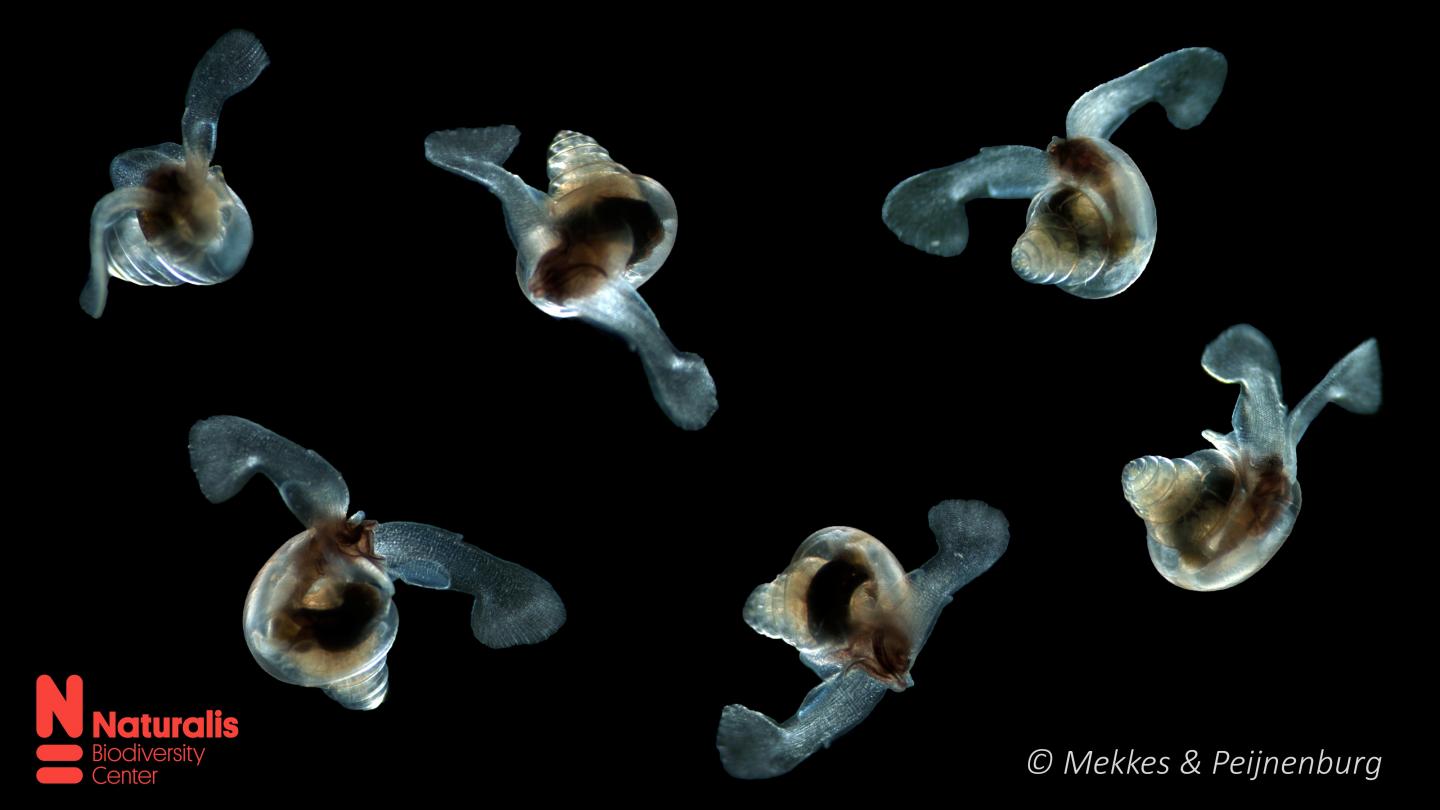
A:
[320,613]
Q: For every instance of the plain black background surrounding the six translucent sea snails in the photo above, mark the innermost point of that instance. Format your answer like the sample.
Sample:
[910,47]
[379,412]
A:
[378,322]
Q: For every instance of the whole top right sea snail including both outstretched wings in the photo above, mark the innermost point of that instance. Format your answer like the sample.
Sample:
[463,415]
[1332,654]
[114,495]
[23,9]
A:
[1091,227]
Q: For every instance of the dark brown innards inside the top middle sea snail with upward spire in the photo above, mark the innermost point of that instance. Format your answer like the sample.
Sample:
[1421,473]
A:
[598,239]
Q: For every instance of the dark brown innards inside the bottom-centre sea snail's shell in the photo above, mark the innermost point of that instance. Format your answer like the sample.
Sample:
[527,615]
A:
[881,646]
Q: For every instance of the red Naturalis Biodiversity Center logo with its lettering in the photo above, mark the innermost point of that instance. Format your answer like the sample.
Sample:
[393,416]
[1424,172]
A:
[117,763]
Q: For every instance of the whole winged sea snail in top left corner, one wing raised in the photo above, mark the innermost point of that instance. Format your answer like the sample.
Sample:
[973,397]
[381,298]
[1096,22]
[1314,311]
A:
[172,218]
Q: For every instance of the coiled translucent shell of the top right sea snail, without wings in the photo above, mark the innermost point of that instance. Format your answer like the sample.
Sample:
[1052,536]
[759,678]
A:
[1091,231]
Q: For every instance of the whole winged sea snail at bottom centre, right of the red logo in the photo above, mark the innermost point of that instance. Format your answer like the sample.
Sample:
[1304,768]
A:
[859,622]
